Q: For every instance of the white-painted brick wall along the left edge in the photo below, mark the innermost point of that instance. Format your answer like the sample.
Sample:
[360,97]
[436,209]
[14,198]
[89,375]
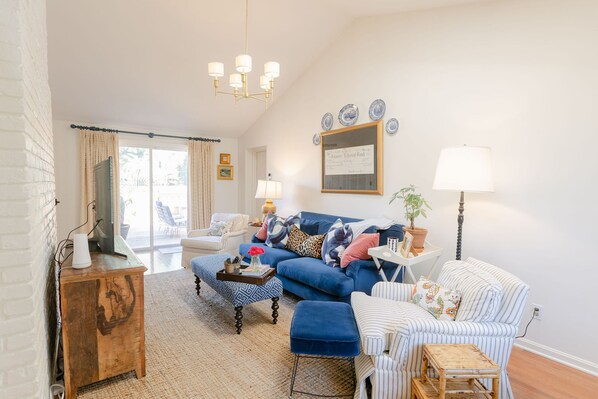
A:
[27,213]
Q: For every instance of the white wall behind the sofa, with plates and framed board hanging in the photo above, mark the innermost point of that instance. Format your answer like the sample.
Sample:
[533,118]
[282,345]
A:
[518,76]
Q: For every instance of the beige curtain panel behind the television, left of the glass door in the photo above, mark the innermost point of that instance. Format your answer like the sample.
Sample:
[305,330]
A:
[94,148]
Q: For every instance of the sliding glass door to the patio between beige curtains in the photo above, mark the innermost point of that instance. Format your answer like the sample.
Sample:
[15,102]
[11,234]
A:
[153,189]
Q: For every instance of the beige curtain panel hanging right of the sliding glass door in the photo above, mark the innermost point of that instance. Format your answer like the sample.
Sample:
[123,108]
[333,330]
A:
[200,184]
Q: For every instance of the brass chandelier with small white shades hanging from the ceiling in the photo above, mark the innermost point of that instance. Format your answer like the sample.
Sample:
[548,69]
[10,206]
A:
[238,81]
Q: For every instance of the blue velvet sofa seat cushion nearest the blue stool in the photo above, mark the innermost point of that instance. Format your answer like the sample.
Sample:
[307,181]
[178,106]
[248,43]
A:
[313,272]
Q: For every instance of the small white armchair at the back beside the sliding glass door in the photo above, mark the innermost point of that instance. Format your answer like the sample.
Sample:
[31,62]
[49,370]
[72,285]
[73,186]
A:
[199,242]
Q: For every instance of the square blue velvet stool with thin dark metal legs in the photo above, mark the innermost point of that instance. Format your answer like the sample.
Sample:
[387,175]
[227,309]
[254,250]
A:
[323,329]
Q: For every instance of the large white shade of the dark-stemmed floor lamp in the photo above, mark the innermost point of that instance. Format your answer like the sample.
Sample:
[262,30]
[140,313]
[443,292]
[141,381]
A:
[464,169]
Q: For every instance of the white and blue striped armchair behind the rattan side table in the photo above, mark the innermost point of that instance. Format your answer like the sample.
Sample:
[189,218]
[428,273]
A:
[393,330]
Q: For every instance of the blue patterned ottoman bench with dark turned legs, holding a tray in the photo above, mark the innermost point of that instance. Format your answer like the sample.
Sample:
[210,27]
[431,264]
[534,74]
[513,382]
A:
[239,294]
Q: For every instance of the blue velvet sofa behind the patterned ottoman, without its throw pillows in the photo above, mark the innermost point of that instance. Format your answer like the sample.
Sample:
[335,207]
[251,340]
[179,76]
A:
[311,278]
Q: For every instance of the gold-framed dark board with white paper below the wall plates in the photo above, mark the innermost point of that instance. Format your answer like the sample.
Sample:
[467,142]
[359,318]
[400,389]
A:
[352,160]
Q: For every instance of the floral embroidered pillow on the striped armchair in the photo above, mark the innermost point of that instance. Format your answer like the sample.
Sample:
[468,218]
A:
[441,302]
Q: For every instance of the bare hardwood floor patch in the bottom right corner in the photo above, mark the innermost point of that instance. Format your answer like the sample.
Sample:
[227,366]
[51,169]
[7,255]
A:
[533,376]
